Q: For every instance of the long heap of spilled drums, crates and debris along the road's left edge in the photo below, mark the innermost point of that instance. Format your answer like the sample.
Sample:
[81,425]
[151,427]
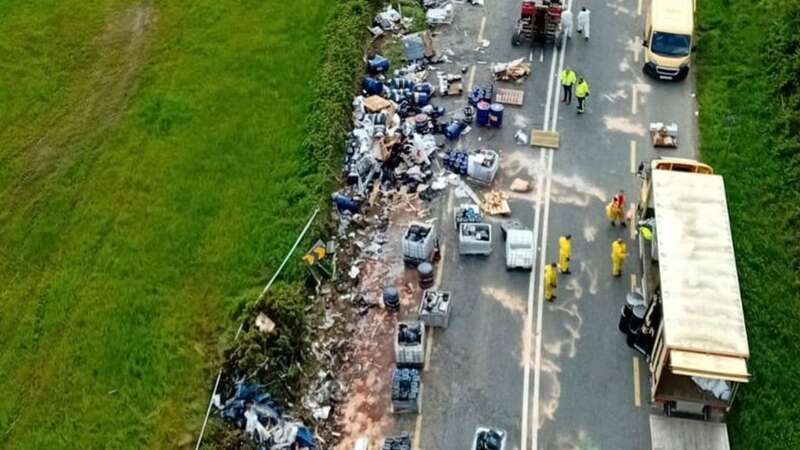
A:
[375,273]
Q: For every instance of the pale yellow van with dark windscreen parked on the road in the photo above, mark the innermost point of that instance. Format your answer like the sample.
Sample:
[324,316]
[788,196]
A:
[668,30]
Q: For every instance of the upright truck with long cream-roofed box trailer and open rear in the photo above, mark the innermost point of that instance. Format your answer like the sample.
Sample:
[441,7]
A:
[699,351]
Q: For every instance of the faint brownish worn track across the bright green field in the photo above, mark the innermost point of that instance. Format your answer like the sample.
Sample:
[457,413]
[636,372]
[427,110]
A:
[97,97]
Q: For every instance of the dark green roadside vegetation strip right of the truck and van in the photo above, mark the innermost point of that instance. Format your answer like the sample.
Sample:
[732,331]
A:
[748,68]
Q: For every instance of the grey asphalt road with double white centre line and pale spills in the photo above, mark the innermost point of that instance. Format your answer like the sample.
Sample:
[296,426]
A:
[555,376]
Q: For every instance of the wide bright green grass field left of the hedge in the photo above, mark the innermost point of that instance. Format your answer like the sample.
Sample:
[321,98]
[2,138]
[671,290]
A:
[147,151]
